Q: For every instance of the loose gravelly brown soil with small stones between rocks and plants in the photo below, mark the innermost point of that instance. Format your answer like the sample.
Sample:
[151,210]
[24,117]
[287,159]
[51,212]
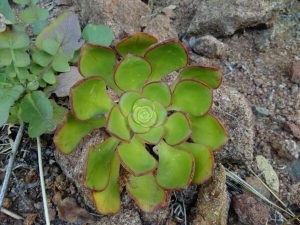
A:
[262,77]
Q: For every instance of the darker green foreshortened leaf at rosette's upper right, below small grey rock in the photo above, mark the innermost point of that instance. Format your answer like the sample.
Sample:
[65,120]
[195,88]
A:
[207,74]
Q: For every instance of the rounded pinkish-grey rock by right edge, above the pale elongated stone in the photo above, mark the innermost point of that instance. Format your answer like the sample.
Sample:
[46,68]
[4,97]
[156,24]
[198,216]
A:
[287,149]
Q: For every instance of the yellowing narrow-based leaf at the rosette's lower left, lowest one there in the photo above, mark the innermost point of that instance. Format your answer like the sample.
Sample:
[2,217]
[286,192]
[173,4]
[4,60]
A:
[108,201]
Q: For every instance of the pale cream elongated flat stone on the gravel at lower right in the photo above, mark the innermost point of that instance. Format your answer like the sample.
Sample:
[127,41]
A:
[268,172]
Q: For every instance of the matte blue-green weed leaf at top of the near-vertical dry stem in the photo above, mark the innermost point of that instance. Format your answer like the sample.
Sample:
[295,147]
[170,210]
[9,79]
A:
[37,110]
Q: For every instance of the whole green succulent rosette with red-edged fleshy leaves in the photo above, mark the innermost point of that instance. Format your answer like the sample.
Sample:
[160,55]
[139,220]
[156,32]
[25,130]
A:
[164,136]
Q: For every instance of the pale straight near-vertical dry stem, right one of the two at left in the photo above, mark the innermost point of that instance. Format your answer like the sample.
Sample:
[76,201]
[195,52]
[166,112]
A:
[41,172]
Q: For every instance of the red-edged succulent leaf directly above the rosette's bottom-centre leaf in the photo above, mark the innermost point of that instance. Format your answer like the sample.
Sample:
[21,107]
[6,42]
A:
[135,158]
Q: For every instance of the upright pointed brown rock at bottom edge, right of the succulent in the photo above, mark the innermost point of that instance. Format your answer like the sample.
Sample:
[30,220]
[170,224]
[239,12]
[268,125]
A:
[213,200]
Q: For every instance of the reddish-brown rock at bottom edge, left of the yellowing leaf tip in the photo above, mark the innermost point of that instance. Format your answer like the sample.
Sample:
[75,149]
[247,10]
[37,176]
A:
[69,211]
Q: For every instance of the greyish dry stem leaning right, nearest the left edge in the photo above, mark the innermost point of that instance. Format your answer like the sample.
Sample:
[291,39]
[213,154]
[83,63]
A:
[11,163]
